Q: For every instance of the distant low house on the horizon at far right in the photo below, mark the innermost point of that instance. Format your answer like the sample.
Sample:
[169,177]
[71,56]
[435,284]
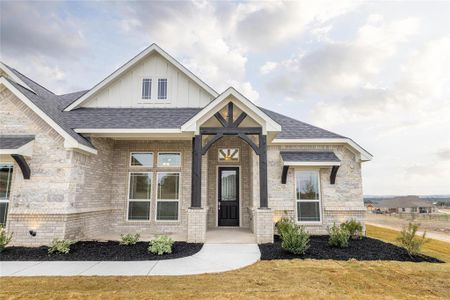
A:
[405,204]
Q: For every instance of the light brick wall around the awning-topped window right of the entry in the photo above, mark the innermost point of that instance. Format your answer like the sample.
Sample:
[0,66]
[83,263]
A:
[341,201]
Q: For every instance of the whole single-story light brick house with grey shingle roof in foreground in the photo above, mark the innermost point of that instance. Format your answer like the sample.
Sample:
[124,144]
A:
[153,149]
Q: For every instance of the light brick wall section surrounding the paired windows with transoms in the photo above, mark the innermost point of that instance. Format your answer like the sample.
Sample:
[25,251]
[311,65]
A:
[119,187]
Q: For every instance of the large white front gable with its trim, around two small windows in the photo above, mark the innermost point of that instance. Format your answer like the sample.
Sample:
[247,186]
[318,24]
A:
[124,88]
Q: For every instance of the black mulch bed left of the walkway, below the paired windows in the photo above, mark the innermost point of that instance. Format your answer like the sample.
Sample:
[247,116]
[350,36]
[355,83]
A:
[96,251]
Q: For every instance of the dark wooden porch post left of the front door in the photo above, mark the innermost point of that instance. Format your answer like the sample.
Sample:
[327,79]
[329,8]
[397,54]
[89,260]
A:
[196,184]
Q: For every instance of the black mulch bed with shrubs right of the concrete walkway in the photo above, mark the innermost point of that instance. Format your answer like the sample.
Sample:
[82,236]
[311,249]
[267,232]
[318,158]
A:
[364,249]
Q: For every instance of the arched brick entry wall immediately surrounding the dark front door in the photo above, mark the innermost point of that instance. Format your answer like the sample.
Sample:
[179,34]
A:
[245,179]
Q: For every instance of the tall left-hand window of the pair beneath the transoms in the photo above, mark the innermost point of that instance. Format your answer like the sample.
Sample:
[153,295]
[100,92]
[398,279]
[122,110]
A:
[139,196]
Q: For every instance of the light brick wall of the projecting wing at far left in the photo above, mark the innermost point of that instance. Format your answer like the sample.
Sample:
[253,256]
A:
[67,195]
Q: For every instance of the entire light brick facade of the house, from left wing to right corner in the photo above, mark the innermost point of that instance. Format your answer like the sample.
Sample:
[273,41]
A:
[81,196]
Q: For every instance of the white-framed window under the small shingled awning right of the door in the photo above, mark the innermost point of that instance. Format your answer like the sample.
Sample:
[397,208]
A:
[308,196]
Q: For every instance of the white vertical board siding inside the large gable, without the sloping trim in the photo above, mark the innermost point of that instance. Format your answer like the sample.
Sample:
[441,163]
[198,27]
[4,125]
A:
[126,91]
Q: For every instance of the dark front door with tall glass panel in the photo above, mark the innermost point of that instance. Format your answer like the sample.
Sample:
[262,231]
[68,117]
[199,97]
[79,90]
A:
[228,210]
